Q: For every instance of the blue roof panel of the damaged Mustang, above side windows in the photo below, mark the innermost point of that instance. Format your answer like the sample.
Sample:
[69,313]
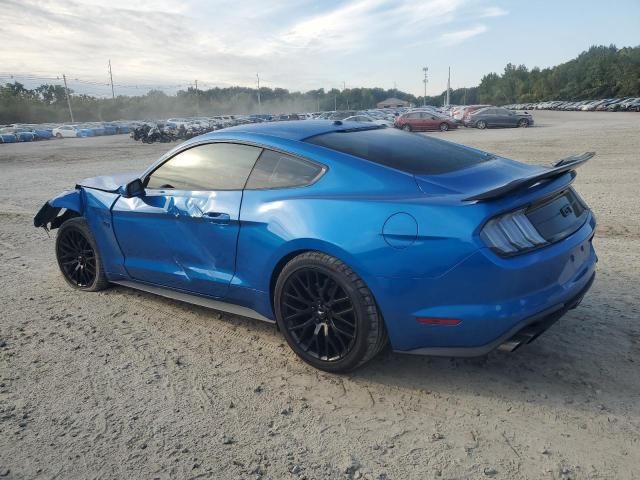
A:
[297,130]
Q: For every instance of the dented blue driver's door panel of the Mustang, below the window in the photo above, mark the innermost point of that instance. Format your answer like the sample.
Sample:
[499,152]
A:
[180,239]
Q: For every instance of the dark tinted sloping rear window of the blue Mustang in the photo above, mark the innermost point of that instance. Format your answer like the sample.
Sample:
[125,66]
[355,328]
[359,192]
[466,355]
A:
[409,152]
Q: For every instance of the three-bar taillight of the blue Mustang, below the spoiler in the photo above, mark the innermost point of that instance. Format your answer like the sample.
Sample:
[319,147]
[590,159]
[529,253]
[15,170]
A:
[511,233]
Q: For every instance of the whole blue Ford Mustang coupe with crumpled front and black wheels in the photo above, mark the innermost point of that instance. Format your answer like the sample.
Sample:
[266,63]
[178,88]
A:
[349,237]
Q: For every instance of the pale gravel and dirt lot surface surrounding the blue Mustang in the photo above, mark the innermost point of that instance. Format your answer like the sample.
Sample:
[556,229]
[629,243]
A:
[122,384]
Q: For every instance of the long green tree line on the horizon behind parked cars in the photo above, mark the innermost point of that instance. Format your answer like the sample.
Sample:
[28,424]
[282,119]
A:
[599,72]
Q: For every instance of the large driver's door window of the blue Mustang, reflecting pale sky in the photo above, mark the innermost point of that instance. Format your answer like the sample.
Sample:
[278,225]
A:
[215,166]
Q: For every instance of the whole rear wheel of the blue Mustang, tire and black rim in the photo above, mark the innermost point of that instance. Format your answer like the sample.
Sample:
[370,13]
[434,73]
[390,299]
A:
[327,314]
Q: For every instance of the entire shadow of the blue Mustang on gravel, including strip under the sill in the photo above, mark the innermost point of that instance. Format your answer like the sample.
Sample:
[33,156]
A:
[551,371]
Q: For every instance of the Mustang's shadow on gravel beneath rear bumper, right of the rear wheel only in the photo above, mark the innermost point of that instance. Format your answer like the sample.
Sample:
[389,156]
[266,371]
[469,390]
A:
[550,371]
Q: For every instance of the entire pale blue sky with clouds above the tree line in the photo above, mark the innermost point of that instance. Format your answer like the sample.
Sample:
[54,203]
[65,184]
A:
[297,44]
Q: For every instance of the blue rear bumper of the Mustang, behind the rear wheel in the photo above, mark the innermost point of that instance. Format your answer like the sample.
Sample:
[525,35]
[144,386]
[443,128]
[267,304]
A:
[494,298]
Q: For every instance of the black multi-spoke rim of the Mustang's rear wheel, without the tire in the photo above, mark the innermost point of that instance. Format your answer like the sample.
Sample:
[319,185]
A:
[308,303]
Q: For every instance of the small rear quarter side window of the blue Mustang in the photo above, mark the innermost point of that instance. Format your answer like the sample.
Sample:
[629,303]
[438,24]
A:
[279,170]
